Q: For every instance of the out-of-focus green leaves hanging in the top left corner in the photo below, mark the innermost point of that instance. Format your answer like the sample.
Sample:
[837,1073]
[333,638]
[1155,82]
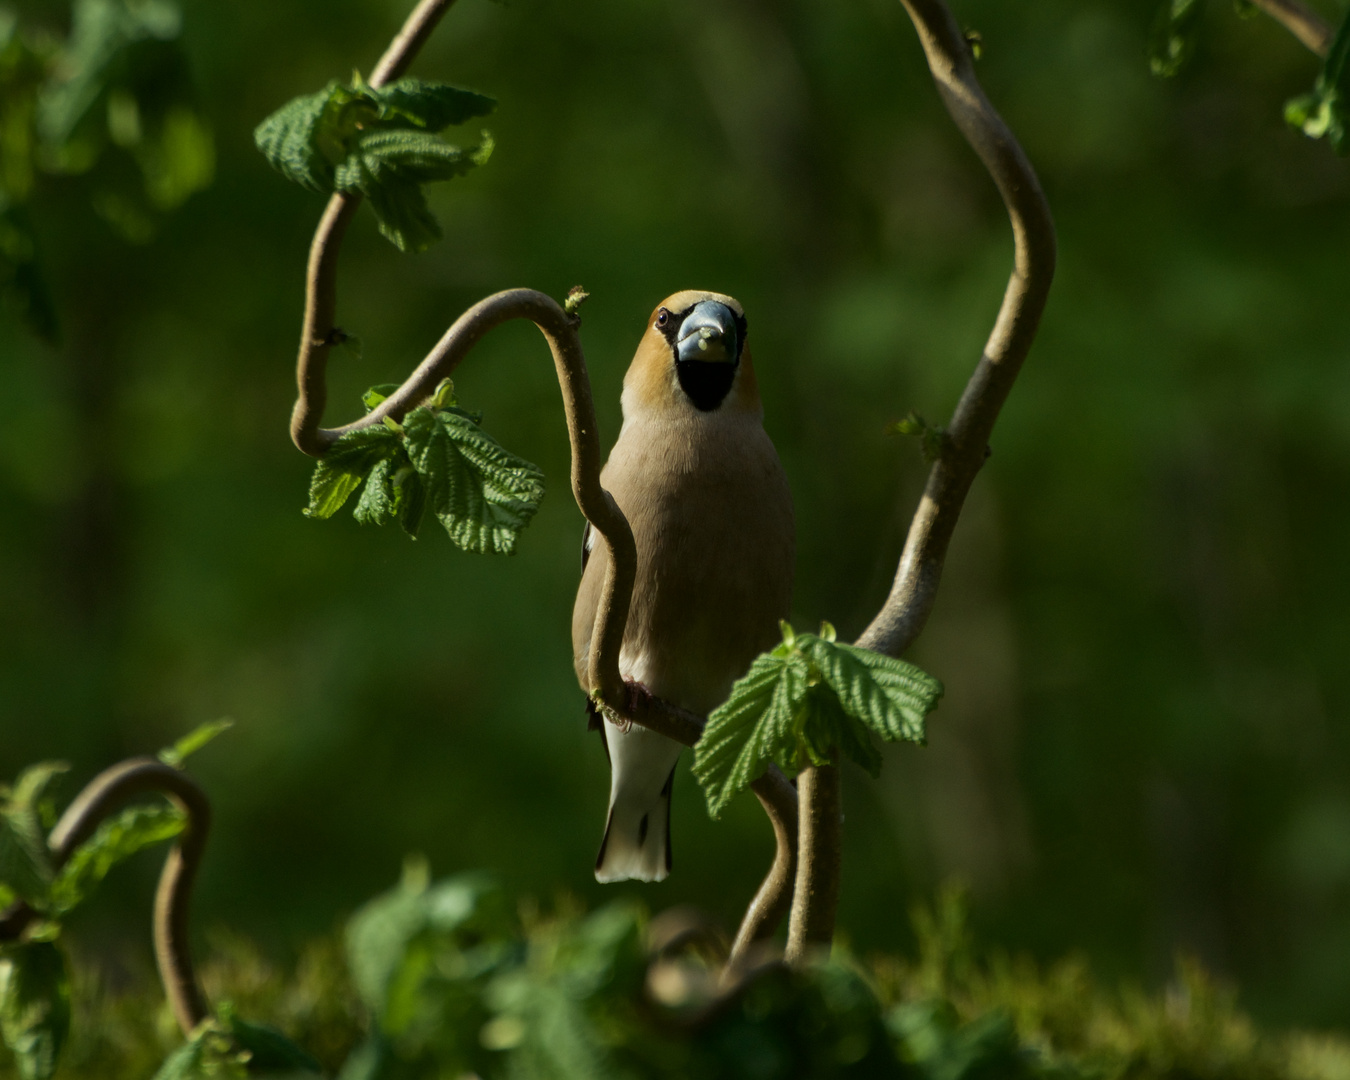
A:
[114,103]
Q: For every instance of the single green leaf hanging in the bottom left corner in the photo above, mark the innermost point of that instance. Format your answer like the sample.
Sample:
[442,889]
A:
[34,1006]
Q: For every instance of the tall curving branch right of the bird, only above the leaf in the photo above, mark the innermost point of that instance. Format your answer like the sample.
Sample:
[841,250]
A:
[966,445]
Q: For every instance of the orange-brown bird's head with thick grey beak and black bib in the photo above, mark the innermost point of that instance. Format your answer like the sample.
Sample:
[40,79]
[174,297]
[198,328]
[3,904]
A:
[693,357]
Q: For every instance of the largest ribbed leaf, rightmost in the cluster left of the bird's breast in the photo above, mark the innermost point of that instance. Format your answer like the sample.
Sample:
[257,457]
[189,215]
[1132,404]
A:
[481,493]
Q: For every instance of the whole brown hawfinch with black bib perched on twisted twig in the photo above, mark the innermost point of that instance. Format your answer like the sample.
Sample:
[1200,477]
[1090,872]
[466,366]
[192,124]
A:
[712,515]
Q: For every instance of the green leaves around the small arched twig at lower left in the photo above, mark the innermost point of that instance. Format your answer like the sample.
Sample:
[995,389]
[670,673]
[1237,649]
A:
[34,977]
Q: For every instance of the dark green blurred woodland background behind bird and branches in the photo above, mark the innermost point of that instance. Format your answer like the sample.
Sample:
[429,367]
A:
[1147,612]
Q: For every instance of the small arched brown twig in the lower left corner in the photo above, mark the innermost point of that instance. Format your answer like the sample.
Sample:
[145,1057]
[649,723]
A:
[105,794]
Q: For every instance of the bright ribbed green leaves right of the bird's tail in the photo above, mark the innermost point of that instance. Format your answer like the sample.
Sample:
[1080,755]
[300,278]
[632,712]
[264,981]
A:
[811,701]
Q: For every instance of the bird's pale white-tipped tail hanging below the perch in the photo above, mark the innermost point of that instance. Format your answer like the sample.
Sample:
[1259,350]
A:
[638,834]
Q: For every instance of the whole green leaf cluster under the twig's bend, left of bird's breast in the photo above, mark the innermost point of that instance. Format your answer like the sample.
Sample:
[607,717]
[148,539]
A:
[439,456]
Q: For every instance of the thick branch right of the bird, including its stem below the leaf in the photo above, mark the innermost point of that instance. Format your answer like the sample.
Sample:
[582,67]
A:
[965,445]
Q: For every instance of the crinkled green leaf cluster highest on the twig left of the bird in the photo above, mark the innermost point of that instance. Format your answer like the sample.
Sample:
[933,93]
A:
[384,144]
